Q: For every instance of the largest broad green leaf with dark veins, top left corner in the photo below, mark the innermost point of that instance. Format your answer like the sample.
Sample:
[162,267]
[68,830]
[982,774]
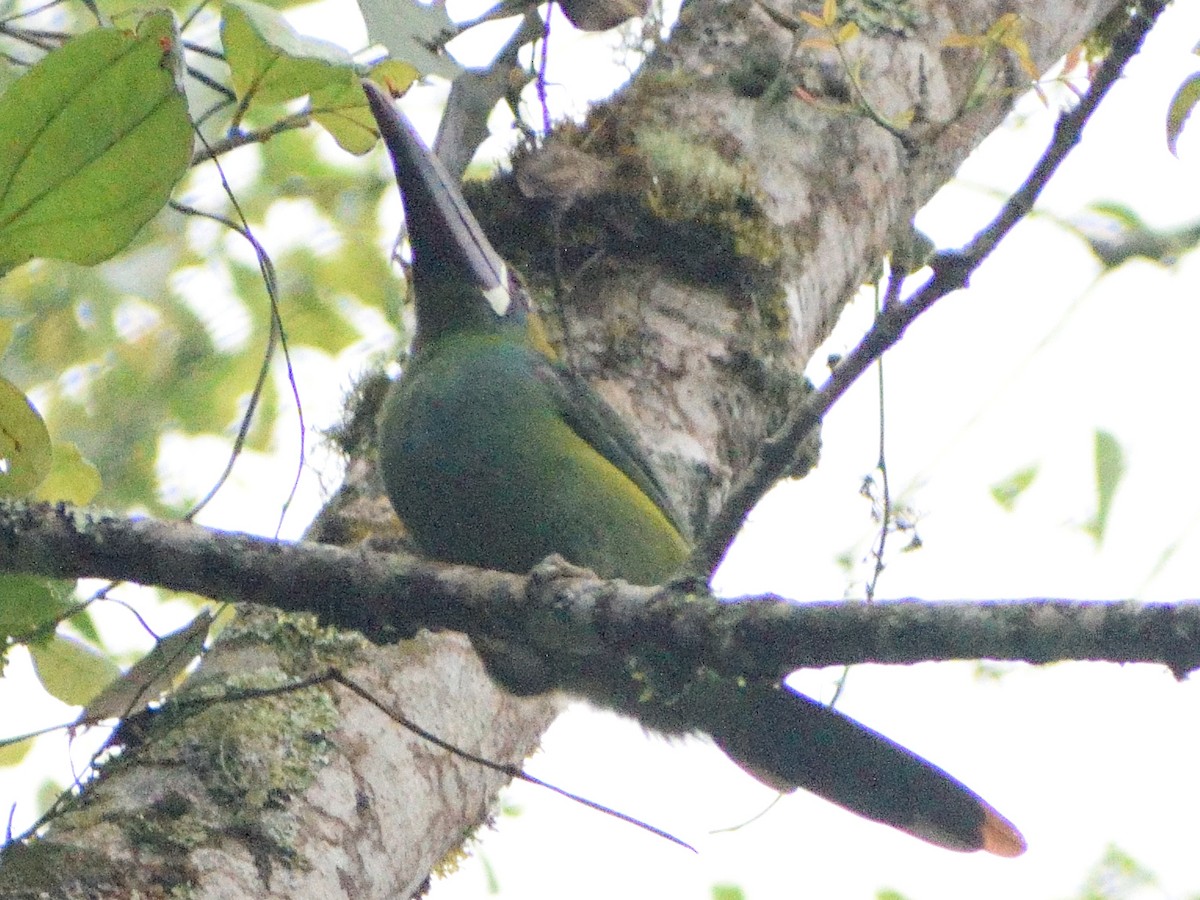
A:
[97,136]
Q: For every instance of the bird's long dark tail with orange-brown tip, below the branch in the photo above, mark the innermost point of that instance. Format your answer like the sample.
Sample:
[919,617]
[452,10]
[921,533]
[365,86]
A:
[789,741]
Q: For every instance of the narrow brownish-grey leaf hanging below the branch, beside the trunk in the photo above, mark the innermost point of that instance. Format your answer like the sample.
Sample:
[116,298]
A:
[152,676]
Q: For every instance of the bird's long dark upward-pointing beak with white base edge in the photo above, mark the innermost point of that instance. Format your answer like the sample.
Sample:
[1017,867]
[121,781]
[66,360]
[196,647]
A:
[448,243]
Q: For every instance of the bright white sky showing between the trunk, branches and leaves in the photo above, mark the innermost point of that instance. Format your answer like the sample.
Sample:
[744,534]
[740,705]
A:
[1021,370]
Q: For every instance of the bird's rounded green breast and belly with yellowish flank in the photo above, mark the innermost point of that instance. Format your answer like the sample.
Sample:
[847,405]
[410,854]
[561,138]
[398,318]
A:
[484,469]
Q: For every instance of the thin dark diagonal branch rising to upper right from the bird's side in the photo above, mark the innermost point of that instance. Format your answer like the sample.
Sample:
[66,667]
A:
[951,273]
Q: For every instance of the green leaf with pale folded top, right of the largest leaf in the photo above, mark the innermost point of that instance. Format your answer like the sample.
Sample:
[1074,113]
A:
[272,63]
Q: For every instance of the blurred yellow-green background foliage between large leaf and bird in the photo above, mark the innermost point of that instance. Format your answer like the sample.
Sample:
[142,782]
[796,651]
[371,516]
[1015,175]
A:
[123,352]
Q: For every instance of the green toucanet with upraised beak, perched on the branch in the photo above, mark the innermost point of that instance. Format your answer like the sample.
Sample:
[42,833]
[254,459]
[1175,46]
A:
[495,455]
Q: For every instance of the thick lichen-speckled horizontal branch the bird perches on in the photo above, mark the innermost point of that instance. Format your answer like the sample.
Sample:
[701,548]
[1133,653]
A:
[393,596]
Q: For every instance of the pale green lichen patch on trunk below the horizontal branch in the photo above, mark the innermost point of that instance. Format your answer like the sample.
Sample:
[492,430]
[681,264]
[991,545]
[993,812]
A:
[250,764]
